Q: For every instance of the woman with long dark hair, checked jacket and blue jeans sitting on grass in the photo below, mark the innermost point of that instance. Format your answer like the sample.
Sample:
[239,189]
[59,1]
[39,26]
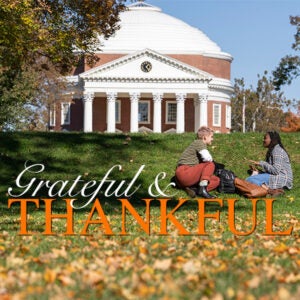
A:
[276,173]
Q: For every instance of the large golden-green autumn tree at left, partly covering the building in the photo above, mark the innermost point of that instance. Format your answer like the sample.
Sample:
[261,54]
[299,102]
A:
[39,37]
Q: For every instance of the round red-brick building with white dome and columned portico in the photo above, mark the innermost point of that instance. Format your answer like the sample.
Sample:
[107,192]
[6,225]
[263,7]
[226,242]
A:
[156,74]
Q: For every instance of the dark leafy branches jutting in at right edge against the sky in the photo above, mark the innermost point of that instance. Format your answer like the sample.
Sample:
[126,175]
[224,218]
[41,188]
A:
[289,66]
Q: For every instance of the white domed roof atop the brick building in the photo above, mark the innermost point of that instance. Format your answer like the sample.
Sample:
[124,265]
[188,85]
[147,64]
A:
[146,26]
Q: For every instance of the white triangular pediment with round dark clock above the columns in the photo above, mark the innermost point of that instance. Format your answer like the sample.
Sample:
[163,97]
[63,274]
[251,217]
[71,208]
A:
[147,65]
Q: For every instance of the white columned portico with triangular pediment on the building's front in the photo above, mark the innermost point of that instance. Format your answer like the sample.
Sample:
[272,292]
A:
[177,82]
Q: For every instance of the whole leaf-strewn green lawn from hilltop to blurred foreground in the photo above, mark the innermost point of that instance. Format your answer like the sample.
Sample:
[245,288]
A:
[105,255]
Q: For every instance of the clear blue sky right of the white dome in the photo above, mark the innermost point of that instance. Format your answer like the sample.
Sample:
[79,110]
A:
[257,33]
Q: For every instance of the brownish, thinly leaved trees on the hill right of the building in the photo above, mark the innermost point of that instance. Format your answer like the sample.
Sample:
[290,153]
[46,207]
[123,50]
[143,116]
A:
[258,109]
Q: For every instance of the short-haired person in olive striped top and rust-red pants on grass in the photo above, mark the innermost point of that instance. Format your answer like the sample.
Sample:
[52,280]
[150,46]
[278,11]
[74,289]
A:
[196,167]
